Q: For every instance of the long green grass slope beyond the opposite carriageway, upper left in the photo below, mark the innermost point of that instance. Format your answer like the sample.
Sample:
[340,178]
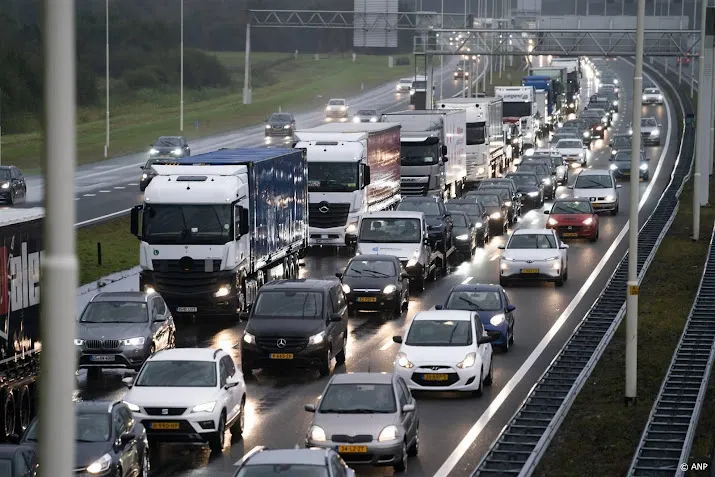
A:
[279,80]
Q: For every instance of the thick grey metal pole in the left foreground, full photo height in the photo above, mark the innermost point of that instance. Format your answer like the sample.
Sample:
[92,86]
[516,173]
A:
[56,440]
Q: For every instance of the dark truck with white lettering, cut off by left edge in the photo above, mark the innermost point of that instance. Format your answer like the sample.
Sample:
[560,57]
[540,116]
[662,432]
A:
[21,252]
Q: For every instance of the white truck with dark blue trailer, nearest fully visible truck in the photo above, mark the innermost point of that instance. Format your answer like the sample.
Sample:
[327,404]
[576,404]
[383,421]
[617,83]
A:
[215,227]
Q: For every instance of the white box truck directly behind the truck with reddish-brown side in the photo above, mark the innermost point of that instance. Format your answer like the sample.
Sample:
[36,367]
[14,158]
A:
[432,156]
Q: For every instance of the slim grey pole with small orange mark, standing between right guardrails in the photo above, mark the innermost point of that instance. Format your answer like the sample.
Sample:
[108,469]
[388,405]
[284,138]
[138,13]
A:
[632,297]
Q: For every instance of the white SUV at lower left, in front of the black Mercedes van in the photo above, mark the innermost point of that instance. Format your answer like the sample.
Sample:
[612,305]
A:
[189,395]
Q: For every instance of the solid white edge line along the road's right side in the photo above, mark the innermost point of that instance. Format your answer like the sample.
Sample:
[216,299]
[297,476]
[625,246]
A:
[494,406]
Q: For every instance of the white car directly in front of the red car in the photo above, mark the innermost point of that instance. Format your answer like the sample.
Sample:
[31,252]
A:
[534,254]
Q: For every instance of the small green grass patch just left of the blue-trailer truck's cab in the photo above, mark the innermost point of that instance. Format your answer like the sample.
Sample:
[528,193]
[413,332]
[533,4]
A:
[120,249]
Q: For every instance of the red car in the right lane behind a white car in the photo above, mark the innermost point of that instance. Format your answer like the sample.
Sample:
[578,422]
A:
[573,218]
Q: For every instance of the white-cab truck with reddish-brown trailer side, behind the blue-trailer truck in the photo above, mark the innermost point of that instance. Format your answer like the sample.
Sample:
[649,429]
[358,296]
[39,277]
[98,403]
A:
[353,168]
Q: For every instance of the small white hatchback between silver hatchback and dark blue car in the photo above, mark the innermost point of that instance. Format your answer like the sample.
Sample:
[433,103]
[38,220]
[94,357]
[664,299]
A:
[446,350]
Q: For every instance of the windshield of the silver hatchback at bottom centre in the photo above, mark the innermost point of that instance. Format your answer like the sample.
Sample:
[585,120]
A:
[358,399]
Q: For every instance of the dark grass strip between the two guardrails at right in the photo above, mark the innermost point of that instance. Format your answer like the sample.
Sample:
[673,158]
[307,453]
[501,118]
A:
[600,435]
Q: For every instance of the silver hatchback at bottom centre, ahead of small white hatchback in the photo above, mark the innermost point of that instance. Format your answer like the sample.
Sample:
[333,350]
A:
[369,418]
